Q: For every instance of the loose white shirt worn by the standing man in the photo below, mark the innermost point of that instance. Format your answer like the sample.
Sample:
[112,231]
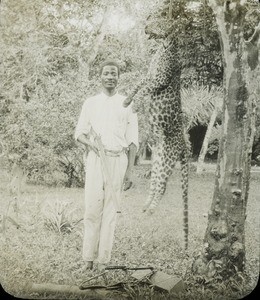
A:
[116,125]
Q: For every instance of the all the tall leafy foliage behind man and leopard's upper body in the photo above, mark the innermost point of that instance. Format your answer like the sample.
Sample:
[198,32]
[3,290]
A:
[51,51]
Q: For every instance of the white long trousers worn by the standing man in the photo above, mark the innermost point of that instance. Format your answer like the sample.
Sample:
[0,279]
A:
[100,209]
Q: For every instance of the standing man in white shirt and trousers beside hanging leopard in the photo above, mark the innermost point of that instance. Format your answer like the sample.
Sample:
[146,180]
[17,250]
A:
[103,116]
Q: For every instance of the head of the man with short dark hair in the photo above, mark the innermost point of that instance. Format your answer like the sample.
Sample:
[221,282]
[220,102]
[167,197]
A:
[109,73]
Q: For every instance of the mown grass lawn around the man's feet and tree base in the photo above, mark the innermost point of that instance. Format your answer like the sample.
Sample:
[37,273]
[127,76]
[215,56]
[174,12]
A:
[46,248]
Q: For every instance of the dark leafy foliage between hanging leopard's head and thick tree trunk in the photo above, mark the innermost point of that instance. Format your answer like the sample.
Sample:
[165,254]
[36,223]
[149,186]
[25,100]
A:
[193,24]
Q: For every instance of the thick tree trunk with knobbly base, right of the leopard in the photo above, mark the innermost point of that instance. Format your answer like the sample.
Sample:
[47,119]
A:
[224,242]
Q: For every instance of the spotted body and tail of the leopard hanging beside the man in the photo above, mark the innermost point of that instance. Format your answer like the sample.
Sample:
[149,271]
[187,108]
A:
[162,83]
